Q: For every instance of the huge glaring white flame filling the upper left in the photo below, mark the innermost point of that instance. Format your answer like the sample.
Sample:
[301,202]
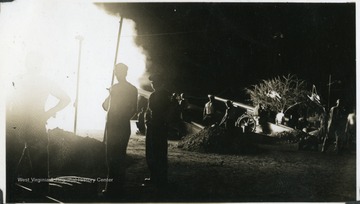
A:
[50,28]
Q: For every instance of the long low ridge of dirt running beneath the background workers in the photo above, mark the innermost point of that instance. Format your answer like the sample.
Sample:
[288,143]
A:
[219,140]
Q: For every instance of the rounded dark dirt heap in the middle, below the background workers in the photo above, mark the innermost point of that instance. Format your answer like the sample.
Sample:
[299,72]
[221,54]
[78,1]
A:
[219,140]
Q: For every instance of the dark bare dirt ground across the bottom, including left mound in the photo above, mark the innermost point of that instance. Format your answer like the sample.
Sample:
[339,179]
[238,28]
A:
[275,173]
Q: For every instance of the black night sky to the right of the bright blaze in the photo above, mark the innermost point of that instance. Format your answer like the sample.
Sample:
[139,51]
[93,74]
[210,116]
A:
[222,48]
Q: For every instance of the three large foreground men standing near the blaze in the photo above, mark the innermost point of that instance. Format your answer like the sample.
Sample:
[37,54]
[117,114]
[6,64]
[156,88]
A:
[27,135]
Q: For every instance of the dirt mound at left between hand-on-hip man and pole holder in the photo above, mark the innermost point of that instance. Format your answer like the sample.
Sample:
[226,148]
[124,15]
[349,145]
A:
[75,155]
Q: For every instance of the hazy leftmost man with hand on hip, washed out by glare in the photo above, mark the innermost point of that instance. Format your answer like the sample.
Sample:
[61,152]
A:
[26,119]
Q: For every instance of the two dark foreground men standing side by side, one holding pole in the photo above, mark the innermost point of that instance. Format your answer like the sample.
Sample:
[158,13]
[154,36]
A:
[121,106]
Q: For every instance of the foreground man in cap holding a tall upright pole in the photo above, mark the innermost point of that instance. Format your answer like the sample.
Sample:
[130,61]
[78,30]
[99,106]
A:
[121,106]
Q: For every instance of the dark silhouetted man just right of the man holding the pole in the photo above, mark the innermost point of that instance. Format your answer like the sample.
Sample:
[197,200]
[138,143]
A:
[157,132]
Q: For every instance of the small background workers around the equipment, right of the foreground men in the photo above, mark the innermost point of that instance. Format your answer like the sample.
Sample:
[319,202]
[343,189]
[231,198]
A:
[336,128]
